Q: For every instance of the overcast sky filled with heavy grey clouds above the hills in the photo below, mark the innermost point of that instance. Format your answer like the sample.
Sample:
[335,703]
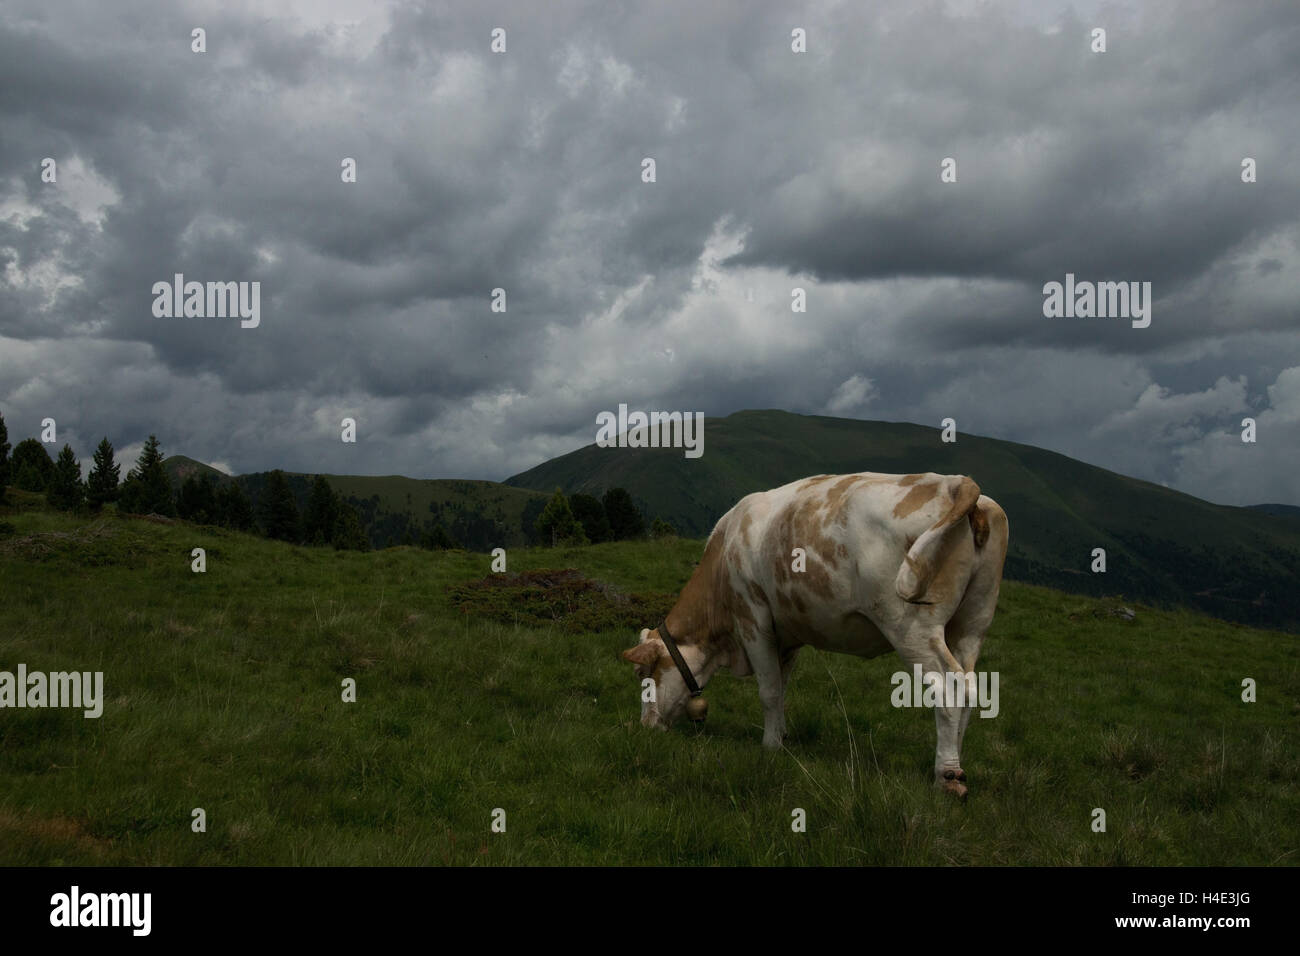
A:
[774,170]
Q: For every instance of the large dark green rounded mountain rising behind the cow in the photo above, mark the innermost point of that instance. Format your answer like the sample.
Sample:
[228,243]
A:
[1162,546]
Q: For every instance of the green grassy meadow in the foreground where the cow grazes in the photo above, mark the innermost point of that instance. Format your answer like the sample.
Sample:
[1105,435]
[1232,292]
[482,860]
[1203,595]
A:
[224,693]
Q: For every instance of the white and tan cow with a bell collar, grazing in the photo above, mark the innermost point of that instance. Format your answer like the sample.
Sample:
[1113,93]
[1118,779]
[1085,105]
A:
[911,564]
